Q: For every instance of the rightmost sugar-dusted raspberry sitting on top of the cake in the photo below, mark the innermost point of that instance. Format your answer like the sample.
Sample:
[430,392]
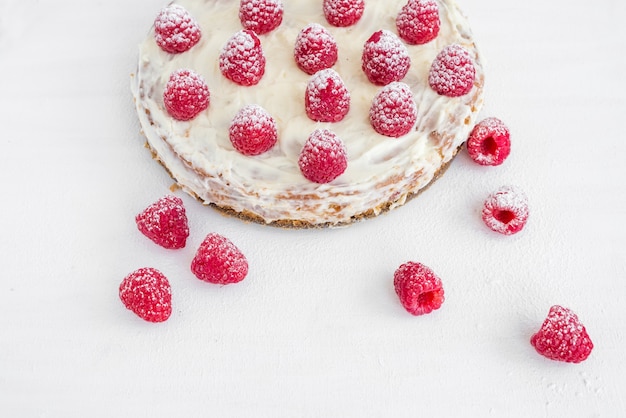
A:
[452,72]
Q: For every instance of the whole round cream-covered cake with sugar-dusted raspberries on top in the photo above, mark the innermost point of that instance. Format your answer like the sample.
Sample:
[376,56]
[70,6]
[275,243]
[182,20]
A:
[308,113]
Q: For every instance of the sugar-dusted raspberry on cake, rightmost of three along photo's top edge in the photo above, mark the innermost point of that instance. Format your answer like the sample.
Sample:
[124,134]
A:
[418,21]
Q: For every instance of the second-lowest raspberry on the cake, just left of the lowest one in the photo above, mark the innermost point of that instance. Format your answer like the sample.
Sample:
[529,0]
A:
[253,130]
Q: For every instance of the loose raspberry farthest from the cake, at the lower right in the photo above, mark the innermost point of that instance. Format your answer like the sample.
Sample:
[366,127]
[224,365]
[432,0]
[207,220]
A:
[562,337]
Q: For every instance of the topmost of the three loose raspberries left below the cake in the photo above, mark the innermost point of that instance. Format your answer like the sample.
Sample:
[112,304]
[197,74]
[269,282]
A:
[165,222]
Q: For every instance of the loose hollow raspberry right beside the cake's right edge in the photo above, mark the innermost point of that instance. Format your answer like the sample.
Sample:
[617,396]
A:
[489,142]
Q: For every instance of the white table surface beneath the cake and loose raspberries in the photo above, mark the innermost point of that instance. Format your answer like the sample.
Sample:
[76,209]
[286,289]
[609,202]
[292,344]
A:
[315,330]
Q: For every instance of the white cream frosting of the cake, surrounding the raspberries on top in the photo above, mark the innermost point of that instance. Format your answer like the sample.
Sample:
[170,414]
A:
[382,172]
